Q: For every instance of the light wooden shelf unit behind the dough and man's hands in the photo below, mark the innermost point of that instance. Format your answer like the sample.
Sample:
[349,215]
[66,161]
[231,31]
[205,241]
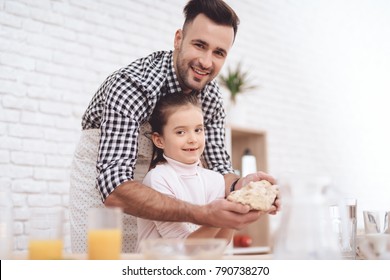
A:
[237,141]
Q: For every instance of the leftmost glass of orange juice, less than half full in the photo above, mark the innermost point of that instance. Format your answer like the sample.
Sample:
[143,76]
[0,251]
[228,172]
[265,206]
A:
[46,239]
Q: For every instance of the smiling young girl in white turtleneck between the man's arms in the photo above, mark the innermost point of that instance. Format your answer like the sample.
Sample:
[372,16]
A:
[179,140]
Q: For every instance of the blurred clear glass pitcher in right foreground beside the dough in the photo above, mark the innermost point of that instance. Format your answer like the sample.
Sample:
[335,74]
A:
[305,230]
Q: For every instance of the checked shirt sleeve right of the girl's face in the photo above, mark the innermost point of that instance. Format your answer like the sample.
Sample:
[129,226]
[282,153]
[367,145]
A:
[215,153]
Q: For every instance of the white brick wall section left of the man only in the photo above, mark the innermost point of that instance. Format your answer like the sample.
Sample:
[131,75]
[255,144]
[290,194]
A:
[53,56]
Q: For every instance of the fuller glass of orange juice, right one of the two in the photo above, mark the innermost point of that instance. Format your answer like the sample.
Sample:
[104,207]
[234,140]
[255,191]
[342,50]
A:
[104,233]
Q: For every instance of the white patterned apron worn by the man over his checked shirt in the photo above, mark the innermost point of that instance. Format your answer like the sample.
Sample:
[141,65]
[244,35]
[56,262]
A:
[84,194]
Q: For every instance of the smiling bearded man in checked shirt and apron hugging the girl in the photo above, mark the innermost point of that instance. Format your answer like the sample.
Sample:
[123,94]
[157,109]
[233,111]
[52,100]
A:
[116,120]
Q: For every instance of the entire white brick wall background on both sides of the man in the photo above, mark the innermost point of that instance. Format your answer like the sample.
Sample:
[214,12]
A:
[315,62]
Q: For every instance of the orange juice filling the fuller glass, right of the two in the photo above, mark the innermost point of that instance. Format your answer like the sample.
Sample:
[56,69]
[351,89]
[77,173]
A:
[104,244]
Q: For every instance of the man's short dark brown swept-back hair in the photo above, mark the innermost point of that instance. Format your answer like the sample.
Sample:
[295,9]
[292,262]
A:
[216,10]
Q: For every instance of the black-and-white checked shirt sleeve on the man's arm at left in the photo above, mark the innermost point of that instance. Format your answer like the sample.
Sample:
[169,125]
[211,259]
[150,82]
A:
[124,111]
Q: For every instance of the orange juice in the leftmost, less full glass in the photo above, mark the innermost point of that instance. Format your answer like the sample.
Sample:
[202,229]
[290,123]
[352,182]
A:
[45,249]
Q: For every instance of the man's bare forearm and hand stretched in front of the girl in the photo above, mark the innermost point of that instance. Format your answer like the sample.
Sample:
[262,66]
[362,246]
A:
[141,201]
